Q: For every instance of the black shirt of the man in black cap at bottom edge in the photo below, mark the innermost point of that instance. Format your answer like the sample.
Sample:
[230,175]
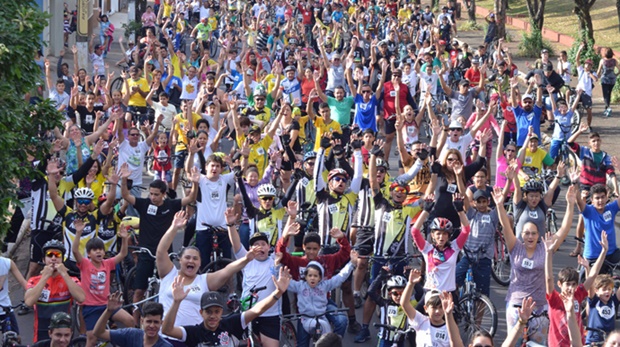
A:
[227,334]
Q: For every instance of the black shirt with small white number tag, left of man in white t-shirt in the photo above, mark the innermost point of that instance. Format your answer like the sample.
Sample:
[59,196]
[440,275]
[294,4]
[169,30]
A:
[155,220]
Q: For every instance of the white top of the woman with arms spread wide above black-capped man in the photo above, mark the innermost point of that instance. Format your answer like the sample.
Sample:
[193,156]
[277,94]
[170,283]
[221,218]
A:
[189,309]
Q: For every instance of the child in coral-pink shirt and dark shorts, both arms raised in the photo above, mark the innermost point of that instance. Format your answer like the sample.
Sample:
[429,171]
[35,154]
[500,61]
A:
[95,274]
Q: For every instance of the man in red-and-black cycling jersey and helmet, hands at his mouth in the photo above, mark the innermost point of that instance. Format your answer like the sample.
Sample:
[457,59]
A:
[52,291]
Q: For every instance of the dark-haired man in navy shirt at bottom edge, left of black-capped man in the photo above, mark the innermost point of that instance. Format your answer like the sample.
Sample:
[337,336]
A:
[150,324]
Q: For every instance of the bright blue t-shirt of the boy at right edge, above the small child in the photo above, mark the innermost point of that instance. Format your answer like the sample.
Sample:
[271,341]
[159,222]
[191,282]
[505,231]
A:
[594,224]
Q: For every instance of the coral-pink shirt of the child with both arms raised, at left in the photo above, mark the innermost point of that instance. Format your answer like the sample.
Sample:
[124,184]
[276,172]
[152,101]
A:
[96,281]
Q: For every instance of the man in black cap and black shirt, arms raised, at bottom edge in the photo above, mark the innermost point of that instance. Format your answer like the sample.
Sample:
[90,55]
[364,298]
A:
[216,330]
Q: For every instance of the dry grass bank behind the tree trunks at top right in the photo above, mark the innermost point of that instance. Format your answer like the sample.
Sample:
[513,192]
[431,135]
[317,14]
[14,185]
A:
[559,17]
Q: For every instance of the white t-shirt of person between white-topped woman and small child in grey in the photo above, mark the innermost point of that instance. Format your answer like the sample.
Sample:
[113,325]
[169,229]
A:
[258,274]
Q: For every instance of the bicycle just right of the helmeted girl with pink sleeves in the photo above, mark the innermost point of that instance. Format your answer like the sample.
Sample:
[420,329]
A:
[475,311]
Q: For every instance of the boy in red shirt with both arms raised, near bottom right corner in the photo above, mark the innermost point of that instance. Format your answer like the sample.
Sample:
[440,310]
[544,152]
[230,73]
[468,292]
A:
[568,278]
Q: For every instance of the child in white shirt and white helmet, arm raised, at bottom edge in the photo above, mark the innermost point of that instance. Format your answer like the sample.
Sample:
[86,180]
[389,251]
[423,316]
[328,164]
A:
[431,330]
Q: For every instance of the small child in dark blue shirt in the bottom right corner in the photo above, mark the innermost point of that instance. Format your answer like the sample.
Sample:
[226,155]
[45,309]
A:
[603,303]
